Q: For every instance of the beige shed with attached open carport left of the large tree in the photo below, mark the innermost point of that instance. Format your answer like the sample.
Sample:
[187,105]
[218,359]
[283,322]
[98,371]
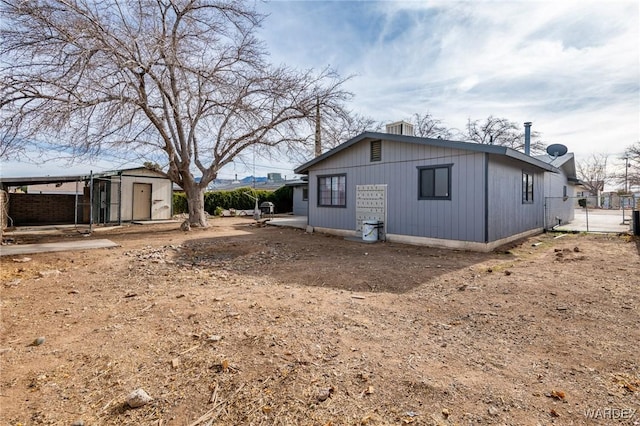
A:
[137,194]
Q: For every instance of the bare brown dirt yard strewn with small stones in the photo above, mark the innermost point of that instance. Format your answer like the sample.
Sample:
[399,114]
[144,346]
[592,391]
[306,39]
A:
[245,325]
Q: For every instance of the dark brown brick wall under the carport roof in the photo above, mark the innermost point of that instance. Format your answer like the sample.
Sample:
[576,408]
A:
[43,209]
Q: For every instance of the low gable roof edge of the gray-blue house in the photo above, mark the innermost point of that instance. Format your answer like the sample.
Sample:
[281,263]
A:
[441,143]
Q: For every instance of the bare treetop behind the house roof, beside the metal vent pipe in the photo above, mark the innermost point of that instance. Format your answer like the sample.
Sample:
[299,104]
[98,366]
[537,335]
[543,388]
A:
[501,131]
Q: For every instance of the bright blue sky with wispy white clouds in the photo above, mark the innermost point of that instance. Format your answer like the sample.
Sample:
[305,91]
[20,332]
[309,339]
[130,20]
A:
[570,67]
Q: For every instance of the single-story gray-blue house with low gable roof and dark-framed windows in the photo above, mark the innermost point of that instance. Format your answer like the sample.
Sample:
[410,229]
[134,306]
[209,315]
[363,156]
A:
[432,191]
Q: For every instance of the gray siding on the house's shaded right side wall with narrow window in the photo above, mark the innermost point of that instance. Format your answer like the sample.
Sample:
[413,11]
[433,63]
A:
[507,214]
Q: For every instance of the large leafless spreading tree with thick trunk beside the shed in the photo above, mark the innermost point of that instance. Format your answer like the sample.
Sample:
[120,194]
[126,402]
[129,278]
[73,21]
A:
[187,79]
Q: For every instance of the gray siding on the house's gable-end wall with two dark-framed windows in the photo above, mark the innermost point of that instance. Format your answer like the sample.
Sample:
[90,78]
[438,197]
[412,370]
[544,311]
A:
[461,218]
